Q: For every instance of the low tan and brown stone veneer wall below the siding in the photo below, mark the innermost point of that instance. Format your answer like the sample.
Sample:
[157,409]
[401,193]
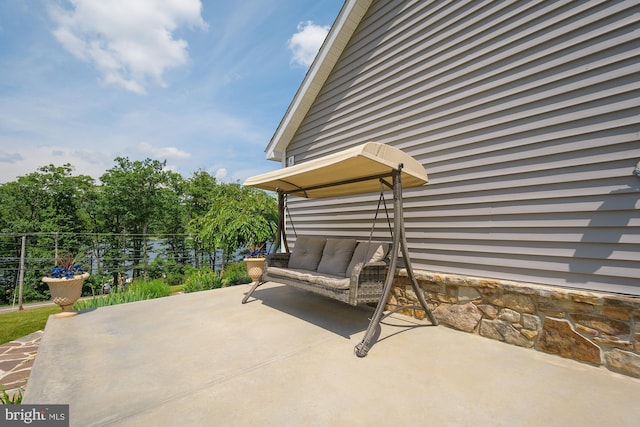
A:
[590,327]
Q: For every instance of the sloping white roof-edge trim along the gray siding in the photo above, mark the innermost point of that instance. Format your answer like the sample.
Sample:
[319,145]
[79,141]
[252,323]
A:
[343,28]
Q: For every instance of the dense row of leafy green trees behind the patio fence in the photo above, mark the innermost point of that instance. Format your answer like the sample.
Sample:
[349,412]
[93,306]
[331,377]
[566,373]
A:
[113,220]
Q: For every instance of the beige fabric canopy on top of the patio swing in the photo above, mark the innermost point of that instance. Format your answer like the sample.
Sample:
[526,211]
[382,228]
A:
[356,170]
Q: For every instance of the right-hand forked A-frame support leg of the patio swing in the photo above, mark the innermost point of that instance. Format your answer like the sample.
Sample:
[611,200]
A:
[399,242]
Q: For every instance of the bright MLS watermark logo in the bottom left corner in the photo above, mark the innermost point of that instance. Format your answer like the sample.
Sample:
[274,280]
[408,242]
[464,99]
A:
[35,415]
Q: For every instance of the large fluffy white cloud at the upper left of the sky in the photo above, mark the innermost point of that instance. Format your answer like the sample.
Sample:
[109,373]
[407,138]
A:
[129,42]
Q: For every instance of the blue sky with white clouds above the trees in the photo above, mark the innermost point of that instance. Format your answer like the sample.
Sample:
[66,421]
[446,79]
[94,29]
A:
[202,84]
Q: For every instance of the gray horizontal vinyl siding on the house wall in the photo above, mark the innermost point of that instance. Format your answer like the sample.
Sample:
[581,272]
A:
[525,115]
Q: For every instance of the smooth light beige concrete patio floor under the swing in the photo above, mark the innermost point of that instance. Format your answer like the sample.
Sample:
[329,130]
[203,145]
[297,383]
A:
[286,359]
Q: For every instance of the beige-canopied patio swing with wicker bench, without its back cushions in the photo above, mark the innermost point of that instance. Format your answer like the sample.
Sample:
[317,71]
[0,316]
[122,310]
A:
[366,168]
